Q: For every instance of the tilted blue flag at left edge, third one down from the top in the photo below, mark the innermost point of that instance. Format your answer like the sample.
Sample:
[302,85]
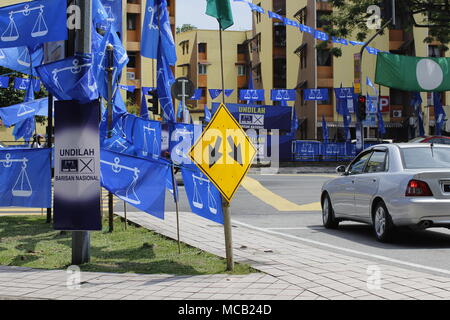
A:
[19,112]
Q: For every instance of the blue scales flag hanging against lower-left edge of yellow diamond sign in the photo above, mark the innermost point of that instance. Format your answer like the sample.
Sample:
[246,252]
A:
[204,198]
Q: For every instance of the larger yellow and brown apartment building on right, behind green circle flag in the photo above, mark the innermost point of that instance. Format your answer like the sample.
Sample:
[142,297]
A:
[284,57]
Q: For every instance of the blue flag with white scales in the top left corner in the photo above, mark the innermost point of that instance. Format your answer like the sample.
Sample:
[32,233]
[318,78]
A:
[33,23]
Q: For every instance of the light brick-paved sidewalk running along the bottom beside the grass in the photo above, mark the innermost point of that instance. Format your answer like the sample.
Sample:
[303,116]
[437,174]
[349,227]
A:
[290,270]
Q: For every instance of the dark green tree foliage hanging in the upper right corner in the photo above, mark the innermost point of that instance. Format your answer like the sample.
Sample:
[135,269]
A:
[355,17]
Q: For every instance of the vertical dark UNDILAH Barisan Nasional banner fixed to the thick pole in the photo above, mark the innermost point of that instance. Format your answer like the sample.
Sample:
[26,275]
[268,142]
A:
[77,166]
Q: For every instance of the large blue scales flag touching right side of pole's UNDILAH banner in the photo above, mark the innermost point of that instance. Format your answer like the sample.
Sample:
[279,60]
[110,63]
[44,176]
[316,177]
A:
[139,182]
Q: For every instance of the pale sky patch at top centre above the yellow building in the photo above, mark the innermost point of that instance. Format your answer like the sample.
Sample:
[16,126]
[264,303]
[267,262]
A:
[193,12]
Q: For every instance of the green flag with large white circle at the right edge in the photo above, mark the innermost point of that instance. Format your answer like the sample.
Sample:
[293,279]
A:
[413,73]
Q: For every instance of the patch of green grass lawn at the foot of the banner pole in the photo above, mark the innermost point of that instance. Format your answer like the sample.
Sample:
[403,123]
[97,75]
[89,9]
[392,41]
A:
[28,241]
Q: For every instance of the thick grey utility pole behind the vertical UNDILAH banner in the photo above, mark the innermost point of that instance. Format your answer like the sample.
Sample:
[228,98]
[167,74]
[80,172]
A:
[81,239]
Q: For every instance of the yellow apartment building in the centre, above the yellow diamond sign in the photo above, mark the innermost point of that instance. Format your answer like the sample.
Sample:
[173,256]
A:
[198,53]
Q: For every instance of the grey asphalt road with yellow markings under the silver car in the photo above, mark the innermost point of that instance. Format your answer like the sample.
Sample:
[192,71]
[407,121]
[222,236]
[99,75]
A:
[429,249]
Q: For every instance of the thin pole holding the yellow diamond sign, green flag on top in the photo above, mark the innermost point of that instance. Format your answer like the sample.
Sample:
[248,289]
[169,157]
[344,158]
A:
[225,204]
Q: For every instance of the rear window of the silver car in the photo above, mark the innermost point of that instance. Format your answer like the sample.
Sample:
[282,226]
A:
[422,158]
